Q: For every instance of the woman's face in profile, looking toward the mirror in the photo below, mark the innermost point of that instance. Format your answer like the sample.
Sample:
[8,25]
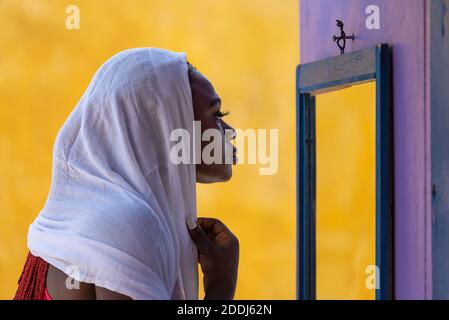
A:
[207,110]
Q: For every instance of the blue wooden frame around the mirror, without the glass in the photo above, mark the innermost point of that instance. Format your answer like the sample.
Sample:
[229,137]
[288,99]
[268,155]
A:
[336,73]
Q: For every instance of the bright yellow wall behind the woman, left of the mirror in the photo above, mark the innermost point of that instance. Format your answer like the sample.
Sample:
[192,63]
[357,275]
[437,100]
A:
[248,49]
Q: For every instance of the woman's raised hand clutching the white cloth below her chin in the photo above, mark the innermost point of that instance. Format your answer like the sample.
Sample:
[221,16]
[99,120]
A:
[218,255]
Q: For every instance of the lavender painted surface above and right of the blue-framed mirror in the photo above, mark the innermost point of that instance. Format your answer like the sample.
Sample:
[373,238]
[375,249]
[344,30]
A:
[404,25]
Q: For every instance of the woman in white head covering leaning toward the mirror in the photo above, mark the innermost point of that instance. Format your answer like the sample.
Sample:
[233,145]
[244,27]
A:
[115,217]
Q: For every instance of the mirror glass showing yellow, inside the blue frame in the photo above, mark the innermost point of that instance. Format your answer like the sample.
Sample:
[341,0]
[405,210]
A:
[345,192]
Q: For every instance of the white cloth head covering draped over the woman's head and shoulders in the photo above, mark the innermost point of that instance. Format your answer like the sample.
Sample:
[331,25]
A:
[115,214]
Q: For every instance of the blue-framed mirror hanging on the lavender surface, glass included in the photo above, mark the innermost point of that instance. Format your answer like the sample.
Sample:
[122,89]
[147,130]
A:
[345,194]
